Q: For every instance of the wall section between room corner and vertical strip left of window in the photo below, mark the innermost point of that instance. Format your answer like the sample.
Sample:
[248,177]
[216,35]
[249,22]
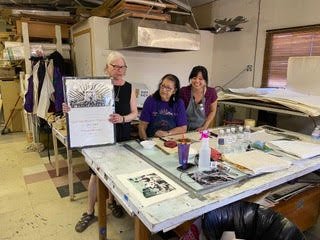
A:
[232,51]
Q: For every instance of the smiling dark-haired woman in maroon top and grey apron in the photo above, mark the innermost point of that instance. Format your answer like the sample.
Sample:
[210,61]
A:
[199,99]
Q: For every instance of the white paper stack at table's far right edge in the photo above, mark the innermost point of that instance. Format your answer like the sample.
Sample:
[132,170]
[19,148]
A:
[299,149]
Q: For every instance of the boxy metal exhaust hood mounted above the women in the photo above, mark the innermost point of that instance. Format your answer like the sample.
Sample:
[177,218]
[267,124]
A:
[151,35]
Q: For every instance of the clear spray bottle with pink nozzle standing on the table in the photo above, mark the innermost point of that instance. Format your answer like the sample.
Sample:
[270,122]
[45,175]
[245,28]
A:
[204,152]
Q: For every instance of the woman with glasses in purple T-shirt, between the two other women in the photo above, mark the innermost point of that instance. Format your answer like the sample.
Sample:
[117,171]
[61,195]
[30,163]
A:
[163,113]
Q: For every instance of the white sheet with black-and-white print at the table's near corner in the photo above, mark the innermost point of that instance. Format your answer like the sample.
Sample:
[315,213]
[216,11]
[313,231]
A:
[150,186]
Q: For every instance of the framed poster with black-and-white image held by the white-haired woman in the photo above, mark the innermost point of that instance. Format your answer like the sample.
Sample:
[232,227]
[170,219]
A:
[91,102]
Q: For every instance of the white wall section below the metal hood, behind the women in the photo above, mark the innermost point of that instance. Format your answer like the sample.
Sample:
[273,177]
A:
[149,68]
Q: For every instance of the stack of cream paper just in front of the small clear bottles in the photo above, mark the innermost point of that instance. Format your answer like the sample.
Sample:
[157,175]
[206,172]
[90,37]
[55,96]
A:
[257,161]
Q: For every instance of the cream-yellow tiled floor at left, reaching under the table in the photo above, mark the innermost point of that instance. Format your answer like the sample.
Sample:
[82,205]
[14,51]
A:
[31,207]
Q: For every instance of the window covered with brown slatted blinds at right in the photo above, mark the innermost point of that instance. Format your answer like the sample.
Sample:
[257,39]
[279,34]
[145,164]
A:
[284,43]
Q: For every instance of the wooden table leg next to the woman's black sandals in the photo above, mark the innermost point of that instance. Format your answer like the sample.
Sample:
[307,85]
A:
[102,214]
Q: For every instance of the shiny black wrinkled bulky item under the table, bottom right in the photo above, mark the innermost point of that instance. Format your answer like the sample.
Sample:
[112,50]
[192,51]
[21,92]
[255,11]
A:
[249,221]
